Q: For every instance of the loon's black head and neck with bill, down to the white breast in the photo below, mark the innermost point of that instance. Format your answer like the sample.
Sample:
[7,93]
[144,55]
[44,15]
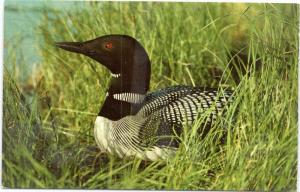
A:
[127,59]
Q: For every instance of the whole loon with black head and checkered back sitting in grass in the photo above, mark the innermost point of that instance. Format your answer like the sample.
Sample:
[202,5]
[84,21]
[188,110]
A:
[133,122]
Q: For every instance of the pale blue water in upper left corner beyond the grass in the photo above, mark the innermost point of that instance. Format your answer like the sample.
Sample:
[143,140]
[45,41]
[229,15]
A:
[21,19]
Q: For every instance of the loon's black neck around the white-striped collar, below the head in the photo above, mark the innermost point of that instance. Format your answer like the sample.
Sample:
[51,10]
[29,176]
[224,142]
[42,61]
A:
[133,79]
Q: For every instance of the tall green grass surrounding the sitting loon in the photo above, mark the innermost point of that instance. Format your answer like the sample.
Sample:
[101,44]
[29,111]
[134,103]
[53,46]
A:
[188,43]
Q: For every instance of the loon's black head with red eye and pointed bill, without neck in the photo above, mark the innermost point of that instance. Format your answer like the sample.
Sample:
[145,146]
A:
[119,53]
